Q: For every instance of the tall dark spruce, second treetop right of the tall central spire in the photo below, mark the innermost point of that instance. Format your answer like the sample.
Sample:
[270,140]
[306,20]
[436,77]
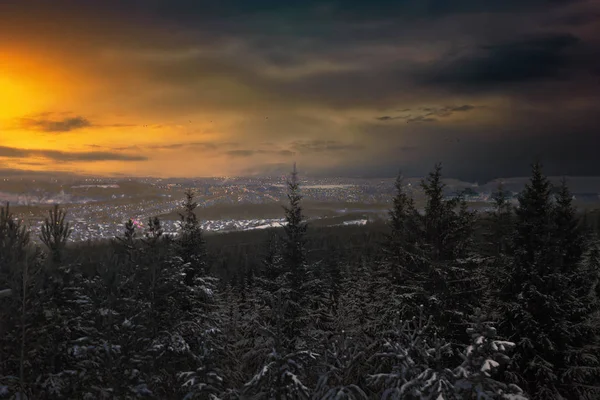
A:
[441,277]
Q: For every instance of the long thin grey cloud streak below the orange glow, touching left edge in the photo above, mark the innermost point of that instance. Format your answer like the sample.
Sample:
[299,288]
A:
[55,155]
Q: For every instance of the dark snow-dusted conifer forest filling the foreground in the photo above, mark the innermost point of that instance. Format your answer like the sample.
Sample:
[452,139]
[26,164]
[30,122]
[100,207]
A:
[442,304]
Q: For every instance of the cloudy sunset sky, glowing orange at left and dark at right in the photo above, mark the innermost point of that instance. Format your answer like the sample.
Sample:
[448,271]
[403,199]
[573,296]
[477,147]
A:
[184,88]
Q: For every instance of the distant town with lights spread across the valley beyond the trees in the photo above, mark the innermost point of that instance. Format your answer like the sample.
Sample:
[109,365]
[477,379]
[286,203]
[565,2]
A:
[98,207]
